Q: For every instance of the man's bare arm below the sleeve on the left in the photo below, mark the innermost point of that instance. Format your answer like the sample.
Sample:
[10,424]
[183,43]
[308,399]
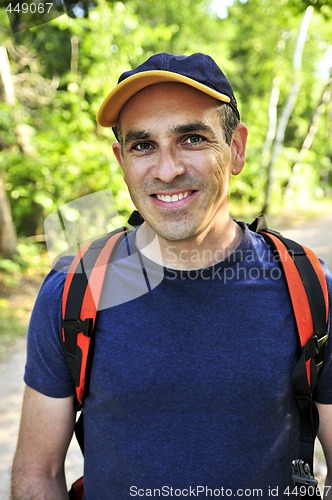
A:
[46,429]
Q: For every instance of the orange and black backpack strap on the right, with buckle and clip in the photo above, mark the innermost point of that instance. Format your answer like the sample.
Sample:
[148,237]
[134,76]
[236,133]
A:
[309,296]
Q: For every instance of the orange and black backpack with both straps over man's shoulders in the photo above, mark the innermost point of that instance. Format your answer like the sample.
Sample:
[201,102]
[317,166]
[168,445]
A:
[309,296]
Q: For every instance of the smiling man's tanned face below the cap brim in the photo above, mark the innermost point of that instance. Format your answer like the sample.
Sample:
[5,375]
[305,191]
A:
[175,160]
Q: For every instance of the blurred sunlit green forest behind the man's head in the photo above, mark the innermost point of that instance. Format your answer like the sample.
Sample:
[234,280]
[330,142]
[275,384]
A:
[53,77]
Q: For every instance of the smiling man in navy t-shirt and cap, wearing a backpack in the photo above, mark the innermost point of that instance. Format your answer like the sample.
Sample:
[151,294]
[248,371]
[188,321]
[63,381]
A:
[191,391]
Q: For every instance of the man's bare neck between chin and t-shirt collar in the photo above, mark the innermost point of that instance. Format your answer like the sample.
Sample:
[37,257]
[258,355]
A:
[198,252]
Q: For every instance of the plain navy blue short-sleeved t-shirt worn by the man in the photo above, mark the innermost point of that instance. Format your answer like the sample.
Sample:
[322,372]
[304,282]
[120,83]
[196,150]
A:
[191,383]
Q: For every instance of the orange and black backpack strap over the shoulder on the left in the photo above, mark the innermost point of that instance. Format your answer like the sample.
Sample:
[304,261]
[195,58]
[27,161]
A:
[81,295]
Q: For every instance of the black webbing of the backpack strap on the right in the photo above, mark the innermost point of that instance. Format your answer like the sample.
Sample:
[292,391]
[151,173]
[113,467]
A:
[314,350]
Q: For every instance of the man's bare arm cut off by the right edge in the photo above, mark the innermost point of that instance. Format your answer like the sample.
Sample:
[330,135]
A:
[325,437]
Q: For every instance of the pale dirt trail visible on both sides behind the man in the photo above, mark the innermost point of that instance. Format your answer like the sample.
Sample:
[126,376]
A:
[317,235]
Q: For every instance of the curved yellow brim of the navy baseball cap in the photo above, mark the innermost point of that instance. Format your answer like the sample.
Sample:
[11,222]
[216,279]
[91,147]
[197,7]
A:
[112,105]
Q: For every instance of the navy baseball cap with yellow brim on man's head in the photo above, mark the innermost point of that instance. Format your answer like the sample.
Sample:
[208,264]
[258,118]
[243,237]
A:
[197,70]
